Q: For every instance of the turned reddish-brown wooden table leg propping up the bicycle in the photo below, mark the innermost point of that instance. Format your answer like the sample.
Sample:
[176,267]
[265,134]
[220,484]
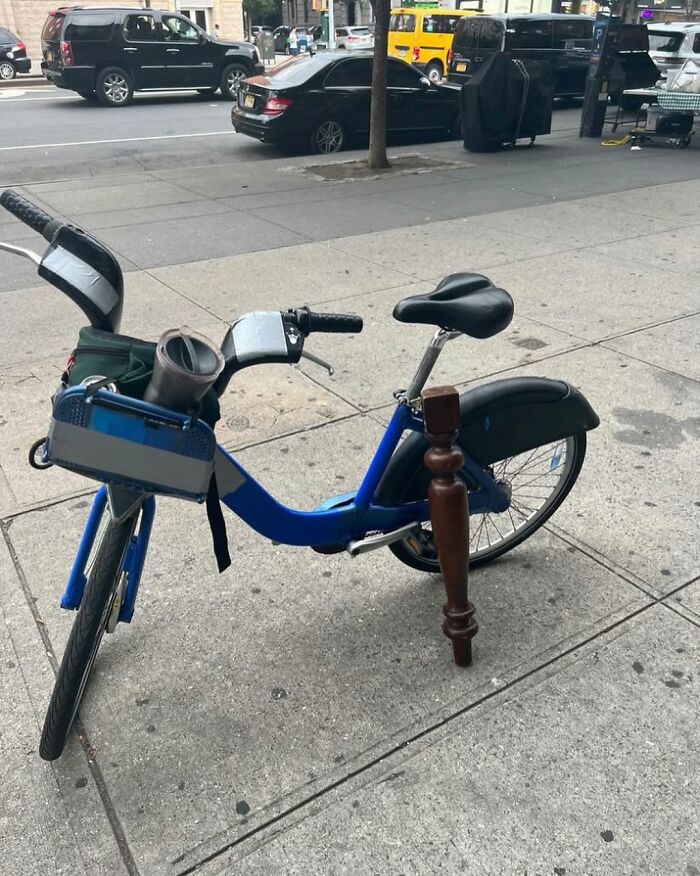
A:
[449,515]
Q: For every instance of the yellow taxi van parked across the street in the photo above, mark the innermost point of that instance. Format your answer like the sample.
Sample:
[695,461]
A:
[423,37]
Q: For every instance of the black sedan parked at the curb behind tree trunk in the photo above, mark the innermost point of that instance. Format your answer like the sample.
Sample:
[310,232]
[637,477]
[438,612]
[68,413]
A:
[322,102]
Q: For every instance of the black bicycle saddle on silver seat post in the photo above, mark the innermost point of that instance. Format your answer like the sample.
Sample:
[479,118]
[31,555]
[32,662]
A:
[467,303]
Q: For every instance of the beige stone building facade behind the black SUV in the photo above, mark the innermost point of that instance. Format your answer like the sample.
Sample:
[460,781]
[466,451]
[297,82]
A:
[26,18]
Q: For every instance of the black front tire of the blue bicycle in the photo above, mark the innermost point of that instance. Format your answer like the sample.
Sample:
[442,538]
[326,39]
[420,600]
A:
[85,637]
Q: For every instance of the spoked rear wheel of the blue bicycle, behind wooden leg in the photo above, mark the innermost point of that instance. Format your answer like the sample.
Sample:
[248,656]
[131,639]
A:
[538,481]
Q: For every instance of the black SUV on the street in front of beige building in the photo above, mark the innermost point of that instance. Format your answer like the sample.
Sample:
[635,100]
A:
[108,53]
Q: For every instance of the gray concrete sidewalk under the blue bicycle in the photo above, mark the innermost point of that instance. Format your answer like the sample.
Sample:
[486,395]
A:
[300,714]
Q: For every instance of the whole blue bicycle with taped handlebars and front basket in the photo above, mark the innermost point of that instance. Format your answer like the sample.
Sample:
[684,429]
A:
[523,439]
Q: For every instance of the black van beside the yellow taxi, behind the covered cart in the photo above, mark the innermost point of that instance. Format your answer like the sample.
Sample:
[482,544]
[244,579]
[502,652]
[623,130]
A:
[562,42]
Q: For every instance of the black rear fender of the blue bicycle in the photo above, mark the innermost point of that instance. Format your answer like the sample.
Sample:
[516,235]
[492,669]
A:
[498,420]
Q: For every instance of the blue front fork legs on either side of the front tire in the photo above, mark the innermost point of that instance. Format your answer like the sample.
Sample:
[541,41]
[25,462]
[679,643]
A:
[133,559]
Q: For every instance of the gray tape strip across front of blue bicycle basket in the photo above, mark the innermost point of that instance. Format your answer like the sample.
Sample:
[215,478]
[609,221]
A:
[85,448]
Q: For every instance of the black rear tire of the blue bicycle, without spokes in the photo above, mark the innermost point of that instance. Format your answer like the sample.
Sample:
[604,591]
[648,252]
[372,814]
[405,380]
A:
[403,551]
